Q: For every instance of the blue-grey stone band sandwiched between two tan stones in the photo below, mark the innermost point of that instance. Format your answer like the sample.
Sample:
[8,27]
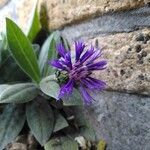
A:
[110,23]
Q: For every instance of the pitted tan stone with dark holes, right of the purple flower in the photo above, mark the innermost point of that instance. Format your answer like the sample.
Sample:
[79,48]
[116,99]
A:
[128,56]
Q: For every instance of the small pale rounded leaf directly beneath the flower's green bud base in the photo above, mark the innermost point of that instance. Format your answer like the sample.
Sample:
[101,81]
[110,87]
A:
[50,87]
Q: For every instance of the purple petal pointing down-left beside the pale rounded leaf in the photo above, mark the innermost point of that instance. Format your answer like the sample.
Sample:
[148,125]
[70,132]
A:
[66,89]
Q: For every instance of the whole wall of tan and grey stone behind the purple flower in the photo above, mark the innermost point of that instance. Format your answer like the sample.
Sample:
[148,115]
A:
[121,28]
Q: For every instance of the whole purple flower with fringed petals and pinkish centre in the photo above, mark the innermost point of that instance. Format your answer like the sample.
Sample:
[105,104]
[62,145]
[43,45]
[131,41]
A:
[79,70]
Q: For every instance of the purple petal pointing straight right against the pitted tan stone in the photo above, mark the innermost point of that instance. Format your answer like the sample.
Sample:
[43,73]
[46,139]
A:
[98,66]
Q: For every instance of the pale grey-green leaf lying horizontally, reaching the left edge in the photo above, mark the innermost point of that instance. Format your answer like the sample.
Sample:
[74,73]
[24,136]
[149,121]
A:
[18,93]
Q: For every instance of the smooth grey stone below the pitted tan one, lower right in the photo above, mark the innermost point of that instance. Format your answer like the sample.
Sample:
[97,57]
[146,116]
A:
[122,120]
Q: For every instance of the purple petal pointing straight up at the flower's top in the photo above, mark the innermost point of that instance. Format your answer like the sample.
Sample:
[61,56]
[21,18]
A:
[79,47]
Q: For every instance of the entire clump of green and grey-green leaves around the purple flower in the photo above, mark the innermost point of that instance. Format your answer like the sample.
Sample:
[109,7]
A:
[29,90]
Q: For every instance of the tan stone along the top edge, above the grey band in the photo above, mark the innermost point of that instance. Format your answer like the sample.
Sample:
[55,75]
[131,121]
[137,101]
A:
[63,12]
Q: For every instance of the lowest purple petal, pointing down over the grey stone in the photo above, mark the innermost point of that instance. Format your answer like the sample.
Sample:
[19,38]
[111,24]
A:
[86,96]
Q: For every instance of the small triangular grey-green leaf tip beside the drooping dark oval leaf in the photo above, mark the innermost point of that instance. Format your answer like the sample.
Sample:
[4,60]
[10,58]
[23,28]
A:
[60,122]
